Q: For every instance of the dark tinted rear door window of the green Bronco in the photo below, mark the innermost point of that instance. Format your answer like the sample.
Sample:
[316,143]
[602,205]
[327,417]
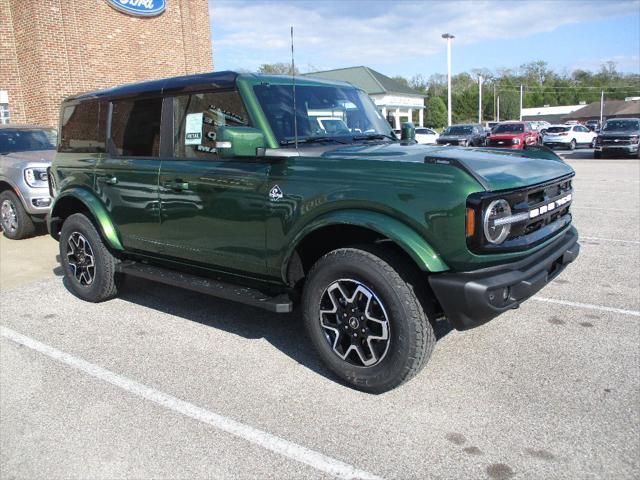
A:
[135,127]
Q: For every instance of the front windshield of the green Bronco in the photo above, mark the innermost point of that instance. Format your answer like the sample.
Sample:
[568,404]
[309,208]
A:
[321,111]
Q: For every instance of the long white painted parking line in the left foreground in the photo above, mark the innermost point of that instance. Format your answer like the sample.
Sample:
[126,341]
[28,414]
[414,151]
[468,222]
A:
[266,440]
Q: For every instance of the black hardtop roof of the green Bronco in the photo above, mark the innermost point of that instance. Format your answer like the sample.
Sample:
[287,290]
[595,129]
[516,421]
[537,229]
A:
[188,83]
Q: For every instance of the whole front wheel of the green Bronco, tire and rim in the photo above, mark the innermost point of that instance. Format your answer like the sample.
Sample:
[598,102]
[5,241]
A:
[365,320]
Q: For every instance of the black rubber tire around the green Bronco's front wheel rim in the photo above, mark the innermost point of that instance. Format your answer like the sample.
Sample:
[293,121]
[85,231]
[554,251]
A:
[395,282]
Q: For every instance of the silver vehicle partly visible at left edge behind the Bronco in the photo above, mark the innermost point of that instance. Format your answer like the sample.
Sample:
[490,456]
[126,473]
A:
[25,154]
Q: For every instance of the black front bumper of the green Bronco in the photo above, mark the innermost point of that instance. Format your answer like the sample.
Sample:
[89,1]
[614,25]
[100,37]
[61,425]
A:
[470,299]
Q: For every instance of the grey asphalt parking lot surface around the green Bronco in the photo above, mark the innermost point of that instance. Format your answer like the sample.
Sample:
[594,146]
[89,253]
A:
[165,383]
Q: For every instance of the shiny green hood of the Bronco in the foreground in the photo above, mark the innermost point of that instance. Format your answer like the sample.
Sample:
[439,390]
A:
[494,169]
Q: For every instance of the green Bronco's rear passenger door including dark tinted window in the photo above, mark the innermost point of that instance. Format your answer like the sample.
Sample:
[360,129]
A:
[127,178]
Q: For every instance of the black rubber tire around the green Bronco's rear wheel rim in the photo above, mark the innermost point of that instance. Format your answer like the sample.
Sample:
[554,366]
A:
[103,286]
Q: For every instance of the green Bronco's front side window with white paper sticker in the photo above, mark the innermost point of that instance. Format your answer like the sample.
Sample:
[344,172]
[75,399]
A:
[196,119]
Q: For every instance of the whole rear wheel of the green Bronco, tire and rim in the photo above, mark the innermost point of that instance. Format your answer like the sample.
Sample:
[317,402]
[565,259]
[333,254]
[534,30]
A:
[89,267]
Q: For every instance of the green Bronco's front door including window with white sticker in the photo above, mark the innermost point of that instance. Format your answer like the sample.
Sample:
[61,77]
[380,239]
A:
[213,210]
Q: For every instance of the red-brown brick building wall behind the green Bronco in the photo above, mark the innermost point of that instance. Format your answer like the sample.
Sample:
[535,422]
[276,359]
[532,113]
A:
[50,49]
